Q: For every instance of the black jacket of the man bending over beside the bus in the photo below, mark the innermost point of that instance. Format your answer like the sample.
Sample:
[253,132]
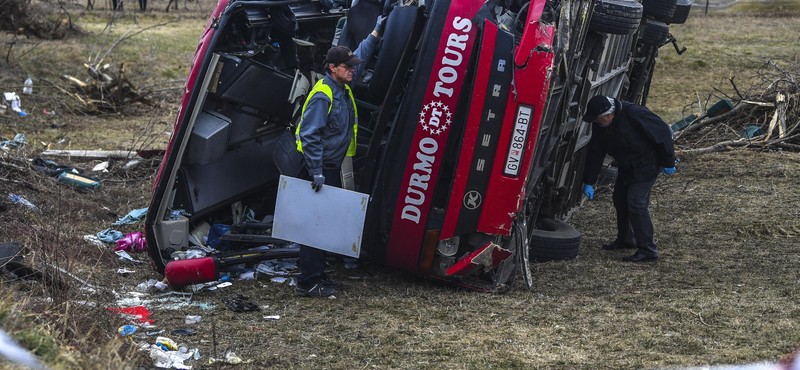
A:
[637,139]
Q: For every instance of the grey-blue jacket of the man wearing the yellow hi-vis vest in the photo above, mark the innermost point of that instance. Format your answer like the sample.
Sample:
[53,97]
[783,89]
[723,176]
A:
[328,125]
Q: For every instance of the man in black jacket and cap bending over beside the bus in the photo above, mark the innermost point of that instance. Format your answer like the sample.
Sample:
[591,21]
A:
[641,143]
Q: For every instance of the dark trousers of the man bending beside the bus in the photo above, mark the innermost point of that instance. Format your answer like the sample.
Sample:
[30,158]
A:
[631,200]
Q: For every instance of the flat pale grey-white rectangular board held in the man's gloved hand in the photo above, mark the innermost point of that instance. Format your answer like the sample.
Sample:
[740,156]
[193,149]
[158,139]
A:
[331,219]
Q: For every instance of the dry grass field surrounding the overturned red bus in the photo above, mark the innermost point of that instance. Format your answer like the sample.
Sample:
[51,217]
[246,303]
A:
[725,290]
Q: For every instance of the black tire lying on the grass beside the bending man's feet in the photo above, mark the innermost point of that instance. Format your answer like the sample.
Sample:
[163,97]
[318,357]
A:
[556,240]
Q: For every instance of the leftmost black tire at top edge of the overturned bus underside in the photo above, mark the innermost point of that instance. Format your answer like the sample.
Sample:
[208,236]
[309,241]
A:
[618,17]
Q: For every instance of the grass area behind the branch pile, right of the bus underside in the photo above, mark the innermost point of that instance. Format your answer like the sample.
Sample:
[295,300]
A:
[719,46]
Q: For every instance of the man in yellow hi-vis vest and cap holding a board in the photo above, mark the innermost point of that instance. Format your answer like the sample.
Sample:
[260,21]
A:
[325,135]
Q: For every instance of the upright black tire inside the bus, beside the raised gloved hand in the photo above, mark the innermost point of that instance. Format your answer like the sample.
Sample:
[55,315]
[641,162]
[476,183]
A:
[398,30]
